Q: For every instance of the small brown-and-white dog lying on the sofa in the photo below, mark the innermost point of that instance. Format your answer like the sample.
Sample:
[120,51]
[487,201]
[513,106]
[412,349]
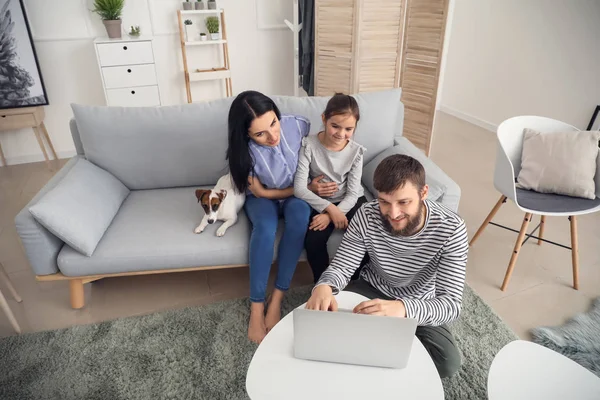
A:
[222,203]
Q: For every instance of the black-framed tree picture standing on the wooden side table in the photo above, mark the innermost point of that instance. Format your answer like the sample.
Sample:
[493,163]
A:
[21,83]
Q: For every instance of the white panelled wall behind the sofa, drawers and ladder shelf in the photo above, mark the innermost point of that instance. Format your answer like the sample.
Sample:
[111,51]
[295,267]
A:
[63,31]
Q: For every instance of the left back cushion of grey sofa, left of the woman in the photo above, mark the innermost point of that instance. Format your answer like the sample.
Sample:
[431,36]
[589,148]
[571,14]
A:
[157,147]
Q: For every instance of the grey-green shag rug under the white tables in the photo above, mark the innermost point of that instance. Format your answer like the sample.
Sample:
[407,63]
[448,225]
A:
[194,353]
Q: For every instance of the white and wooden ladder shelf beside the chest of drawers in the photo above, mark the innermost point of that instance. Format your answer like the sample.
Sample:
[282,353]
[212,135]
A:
[195,75]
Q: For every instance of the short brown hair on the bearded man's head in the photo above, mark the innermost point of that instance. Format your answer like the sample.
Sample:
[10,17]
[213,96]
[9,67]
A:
[394,171]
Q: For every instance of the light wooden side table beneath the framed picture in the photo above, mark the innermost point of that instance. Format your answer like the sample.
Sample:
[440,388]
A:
[27,117]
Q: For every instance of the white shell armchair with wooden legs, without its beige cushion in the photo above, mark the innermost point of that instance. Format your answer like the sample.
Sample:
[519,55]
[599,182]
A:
[508,166]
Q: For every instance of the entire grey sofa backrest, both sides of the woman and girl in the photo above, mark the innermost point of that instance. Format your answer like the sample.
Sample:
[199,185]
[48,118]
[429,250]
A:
[185,145]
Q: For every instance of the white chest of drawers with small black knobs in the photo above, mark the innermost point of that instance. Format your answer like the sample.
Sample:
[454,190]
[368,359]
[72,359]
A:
[128,71]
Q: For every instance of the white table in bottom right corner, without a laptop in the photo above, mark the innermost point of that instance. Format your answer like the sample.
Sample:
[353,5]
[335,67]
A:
[525,370]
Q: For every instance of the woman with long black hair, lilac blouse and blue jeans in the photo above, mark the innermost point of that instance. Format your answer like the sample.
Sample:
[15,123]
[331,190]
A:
[263,155]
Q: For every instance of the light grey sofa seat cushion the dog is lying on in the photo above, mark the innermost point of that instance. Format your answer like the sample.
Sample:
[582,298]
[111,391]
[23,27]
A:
[154,230]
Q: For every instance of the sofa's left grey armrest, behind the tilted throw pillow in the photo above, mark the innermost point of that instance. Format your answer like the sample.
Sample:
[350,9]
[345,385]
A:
[41,246]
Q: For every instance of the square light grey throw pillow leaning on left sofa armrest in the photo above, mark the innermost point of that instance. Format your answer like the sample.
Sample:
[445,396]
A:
[81,206]
